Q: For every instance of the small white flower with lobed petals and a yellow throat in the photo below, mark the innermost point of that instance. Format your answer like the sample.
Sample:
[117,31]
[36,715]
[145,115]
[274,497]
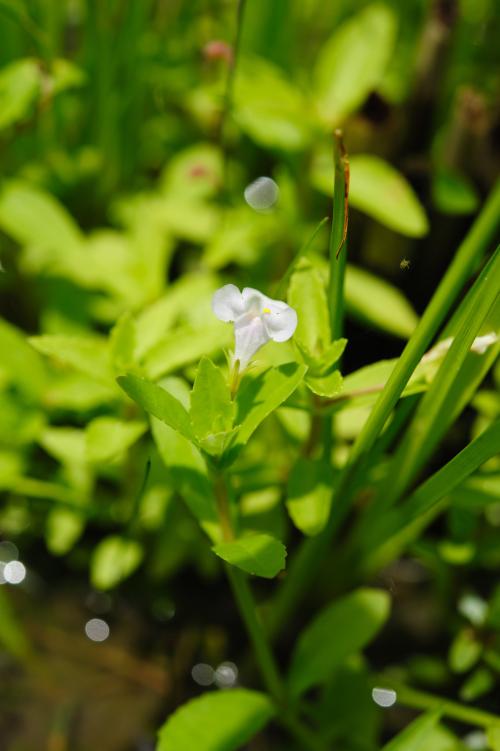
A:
[256,318]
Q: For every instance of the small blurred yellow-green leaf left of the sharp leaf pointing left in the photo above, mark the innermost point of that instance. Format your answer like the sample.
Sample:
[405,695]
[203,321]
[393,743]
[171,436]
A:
[107,437]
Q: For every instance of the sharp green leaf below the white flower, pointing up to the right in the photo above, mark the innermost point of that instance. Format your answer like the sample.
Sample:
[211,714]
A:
[260,396]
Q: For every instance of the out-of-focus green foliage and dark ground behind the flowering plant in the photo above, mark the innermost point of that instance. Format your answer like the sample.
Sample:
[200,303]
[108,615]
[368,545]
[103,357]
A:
[126,143]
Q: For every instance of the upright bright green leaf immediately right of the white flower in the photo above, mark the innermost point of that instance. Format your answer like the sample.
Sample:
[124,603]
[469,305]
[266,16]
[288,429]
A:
[307,294]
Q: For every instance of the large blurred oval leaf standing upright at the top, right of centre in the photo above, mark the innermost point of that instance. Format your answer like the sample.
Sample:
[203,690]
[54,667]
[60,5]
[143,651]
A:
[352,62]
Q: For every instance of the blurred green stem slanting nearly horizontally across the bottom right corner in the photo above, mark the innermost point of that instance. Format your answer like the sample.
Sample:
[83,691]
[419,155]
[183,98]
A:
[410,697]
